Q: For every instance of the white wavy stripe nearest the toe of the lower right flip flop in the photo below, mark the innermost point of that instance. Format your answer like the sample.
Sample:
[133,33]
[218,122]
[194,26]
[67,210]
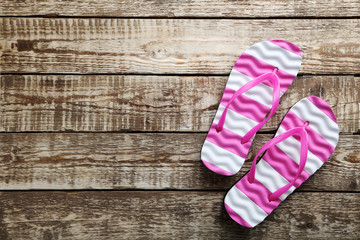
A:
[318,120]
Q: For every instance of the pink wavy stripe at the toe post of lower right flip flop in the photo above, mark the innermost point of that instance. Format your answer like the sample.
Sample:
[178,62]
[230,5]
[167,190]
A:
[317,144]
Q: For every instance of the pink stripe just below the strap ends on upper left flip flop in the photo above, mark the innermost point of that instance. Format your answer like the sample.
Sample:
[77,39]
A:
[228,140]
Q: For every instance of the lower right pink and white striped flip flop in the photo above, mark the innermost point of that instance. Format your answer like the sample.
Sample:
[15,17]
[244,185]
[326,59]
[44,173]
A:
[304,141]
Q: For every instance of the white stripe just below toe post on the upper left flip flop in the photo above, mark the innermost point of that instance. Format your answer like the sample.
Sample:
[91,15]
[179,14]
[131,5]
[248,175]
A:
[261,93]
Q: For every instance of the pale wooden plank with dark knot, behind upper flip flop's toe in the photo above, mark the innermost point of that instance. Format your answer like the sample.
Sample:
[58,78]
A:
[182,46]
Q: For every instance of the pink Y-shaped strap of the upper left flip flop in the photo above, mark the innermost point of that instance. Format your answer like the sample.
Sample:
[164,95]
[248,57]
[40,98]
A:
[275,102]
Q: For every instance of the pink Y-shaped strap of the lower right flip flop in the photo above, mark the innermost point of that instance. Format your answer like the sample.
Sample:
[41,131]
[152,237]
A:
[301,131]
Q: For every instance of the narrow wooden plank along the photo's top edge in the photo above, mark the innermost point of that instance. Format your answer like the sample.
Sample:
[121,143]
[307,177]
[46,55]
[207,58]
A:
[173,8]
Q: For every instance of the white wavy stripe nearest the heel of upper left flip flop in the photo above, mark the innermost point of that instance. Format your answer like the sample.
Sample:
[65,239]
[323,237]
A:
[221,158]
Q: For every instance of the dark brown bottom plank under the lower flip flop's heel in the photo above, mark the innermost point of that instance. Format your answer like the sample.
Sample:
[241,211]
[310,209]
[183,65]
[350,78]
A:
[168,215]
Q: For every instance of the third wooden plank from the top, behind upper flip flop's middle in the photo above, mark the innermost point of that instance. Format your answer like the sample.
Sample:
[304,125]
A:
[148,103]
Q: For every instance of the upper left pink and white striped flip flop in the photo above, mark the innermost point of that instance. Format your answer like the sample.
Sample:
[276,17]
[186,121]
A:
[260,76]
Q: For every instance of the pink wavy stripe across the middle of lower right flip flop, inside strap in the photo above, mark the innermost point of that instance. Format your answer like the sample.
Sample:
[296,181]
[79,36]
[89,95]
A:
[284,165]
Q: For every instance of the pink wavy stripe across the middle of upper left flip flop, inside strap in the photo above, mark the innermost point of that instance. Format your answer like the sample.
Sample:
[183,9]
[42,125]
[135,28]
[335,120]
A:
[245,106]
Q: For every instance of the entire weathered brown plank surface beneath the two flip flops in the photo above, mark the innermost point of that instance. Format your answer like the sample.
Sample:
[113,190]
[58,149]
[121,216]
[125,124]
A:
[105,106]
